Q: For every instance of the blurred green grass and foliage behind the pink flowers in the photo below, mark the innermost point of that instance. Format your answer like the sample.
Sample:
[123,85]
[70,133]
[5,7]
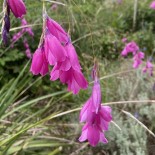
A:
[32,121]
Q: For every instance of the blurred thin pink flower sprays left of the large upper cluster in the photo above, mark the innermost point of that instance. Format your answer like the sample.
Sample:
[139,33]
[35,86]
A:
[20,34]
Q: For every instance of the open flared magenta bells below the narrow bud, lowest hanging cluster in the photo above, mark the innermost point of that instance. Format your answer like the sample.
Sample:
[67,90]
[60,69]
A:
[96,125]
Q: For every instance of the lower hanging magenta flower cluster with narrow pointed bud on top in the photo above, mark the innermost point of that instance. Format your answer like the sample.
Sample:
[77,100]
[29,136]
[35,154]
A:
[96,117]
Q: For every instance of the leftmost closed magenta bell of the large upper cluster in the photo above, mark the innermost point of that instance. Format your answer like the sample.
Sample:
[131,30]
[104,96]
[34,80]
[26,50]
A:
[39,62]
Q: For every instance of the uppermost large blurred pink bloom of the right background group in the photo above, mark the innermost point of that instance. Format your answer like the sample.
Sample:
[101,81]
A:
[131,47]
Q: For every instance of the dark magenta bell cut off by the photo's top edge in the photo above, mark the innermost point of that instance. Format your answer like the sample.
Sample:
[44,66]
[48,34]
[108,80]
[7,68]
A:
[17,7]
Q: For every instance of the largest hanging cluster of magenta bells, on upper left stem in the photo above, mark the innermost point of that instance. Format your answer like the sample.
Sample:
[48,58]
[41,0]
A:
[57,50]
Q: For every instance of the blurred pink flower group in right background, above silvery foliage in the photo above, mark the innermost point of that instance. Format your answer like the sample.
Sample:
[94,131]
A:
[133,48]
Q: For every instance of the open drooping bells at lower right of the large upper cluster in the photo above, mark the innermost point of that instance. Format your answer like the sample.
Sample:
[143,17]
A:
[69,71]
